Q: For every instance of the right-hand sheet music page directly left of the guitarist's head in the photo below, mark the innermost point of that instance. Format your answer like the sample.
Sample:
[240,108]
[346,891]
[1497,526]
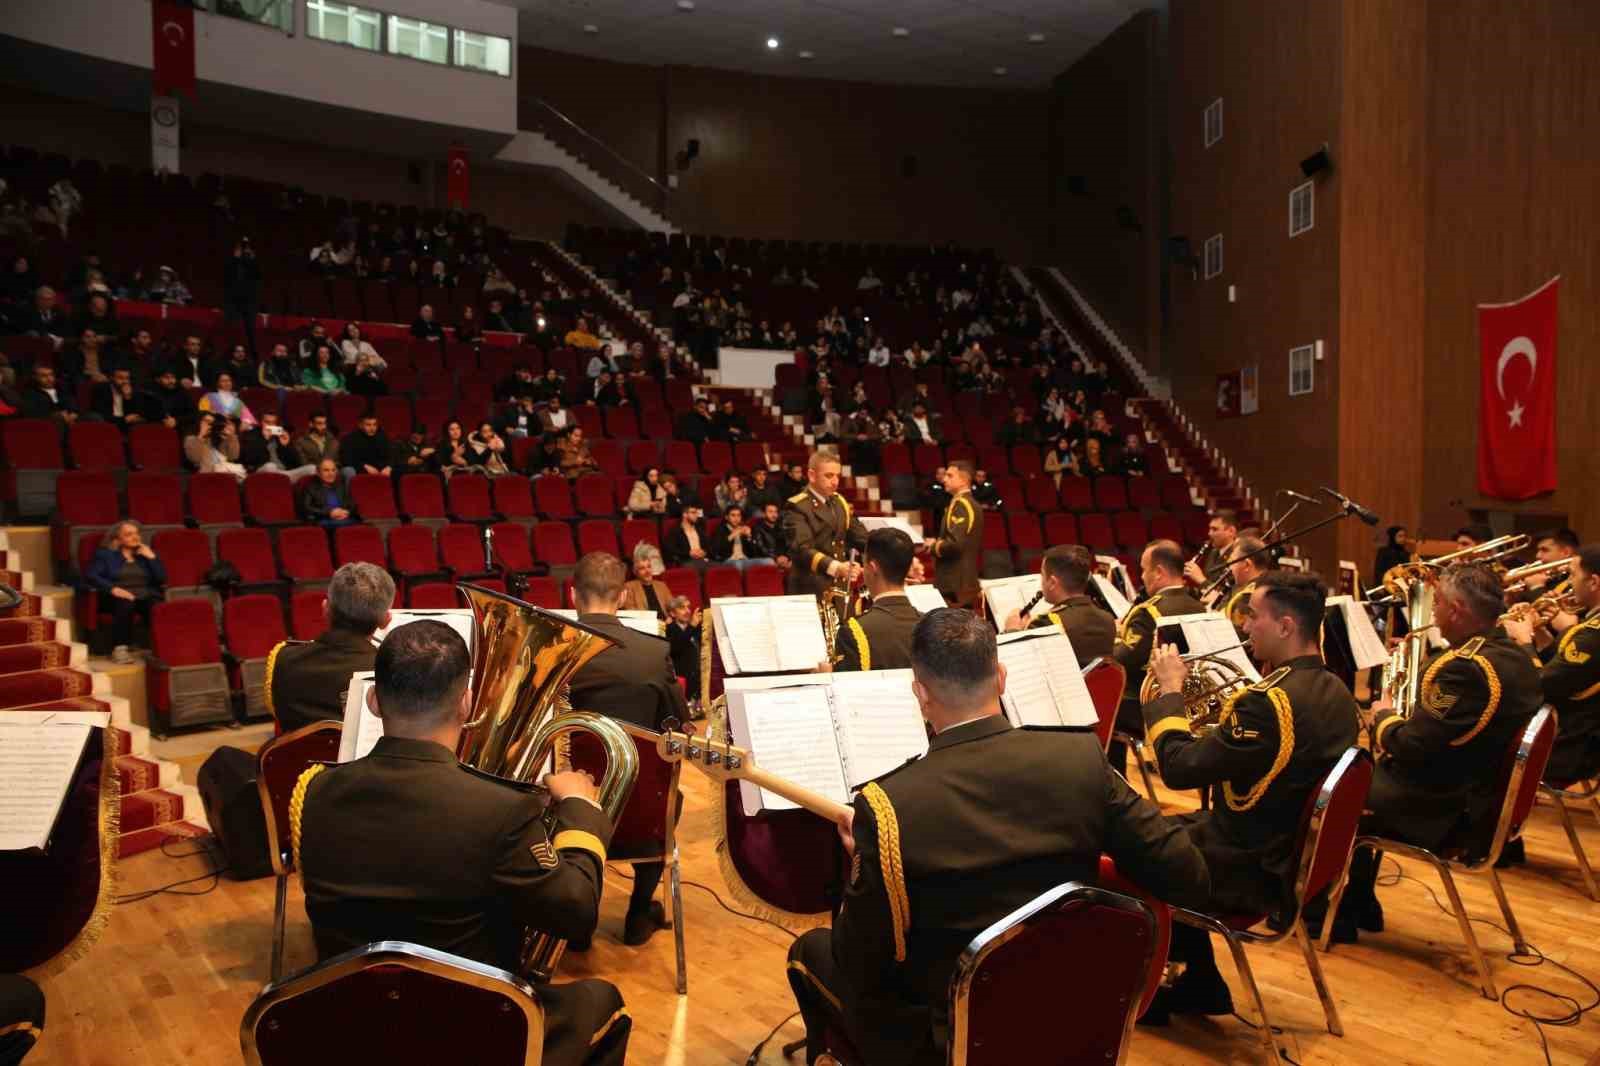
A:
[879,723]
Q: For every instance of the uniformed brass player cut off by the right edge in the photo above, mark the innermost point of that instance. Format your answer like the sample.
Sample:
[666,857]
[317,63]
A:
[1570,676]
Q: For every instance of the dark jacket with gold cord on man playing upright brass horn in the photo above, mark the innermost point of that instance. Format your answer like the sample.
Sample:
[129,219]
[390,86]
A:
[1439,767]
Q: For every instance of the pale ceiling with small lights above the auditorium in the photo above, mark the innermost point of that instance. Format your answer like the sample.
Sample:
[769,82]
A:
[950,42]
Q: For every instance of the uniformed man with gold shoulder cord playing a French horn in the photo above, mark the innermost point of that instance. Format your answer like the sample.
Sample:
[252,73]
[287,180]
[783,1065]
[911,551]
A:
[1271,750]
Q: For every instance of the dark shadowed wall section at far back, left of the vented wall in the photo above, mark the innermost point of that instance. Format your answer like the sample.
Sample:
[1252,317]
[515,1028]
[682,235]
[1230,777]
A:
[1105,132]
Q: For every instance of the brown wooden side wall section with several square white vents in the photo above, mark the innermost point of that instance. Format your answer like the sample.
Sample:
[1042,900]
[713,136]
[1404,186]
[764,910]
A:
[1278,70]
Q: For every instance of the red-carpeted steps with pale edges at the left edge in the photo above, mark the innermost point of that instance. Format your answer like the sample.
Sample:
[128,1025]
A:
[42,668]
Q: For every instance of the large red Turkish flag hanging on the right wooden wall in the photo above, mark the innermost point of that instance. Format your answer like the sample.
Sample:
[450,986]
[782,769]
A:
[1518,396]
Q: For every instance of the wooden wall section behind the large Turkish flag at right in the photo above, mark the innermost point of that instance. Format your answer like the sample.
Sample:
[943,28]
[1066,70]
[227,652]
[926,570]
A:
[1514,198]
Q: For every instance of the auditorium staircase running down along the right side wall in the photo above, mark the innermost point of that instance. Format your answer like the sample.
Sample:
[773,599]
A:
[1214,481]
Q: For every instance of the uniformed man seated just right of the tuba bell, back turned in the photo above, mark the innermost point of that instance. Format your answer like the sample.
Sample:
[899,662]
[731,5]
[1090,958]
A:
[633,683]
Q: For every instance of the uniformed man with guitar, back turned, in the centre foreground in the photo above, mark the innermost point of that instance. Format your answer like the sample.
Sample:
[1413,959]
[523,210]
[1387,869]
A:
[1039,808]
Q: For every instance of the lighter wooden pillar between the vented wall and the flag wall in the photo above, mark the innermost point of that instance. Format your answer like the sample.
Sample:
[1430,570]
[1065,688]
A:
[1383,161]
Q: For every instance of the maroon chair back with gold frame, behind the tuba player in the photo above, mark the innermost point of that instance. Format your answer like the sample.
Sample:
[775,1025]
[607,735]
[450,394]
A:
[415,1003]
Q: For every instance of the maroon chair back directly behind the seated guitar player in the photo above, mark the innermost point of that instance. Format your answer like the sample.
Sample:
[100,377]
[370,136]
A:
[1020,977]
